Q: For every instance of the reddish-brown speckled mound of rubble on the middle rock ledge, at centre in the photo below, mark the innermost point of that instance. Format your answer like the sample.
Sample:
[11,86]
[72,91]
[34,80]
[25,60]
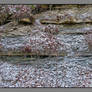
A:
[43,43]
